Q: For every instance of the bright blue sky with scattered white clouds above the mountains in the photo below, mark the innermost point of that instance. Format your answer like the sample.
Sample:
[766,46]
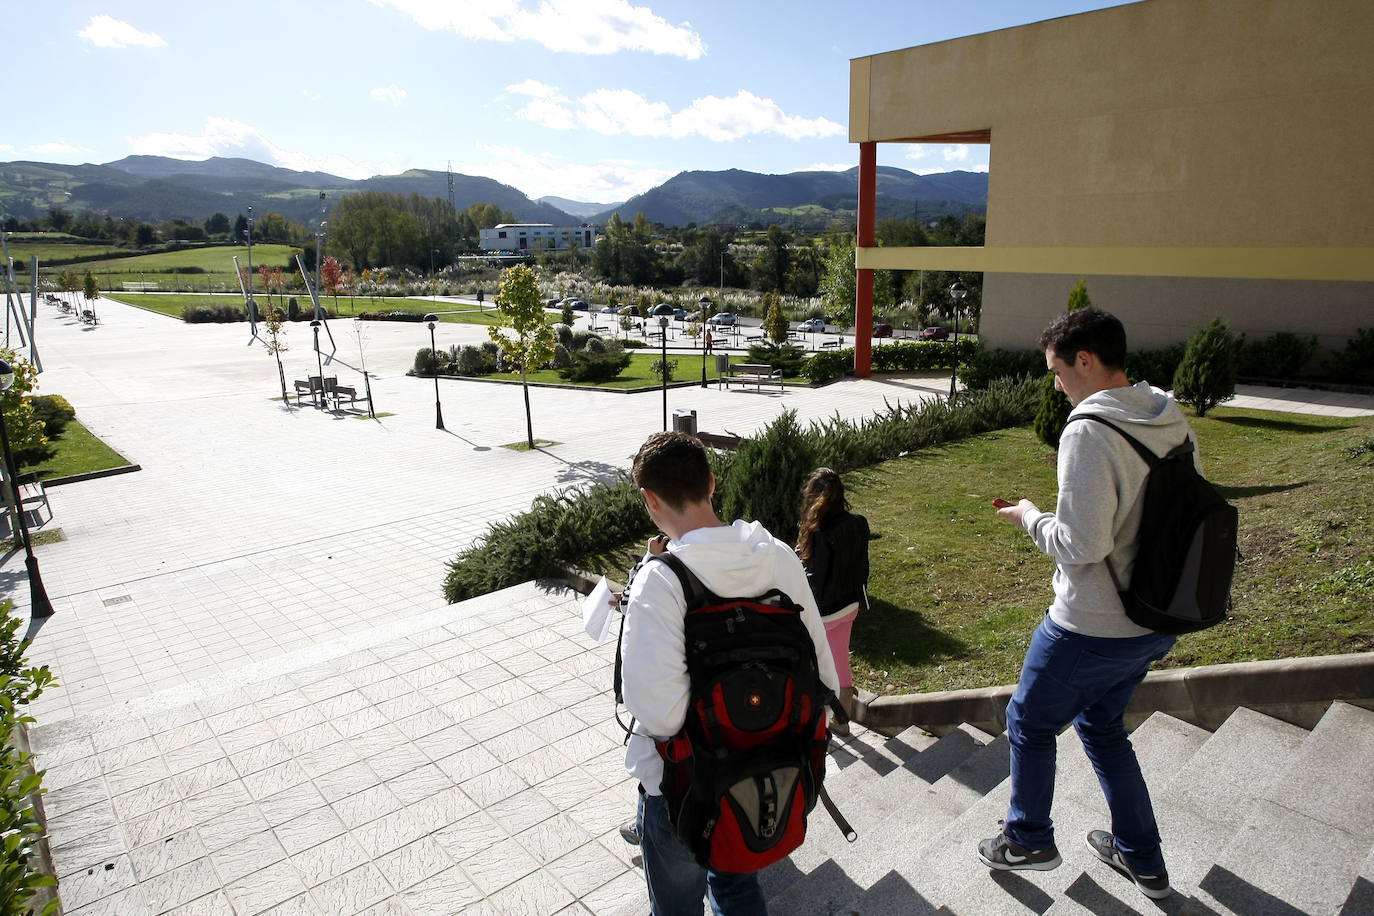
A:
[586,100]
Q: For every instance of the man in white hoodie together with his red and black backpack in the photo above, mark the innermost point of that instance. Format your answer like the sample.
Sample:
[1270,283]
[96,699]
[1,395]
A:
[740,561]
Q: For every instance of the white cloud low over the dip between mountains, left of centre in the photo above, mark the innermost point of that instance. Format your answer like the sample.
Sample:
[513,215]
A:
[542,174]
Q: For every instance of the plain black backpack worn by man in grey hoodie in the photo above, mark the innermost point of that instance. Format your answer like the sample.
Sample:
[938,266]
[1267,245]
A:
[1188,545]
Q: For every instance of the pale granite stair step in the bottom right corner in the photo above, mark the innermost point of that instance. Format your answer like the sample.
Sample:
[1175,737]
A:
[1305,844]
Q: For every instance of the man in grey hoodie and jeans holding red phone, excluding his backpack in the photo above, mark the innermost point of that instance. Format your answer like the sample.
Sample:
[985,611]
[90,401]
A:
[1088,659]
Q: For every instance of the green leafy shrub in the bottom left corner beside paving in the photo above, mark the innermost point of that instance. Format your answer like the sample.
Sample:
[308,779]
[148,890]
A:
[20,686]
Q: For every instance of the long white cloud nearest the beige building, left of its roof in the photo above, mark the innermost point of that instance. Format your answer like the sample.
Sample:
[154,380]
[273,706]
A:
[615,112]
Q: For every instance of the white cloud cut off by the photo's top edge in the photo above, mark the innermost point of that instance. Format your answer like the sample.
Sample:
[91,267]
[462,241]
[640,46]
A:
[575,27]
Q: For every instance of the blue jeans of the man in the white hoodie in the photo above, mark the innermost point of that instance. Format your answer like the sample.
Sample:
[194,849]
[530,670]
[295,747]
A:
[677,882]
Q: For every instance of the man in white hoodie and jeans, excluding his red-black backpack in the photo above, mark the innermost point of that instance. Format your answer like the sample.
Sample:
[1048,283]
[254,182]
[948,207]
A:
[740,560]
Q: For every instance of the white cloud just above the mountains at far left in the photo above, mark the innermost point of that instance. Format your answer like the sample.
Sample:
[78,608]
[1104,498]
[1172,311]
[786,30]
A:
[229,138]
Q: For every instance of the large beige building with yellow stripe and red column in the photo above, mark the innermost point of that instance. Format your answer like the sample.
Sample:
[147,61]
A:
[1189,159]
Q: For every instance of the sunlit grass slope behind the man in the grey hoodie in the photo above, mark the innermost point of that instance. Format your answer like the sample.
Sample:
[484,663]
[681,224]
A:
[957,593]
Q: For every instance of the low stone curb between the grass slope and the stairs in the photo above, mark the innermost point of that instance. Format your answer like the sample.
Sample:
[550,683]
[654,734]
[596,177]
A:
[1295,690]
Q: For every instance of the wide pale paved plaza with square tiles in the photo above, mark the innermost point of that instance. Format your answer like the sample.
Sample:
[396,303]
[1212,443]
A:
[266,707]
